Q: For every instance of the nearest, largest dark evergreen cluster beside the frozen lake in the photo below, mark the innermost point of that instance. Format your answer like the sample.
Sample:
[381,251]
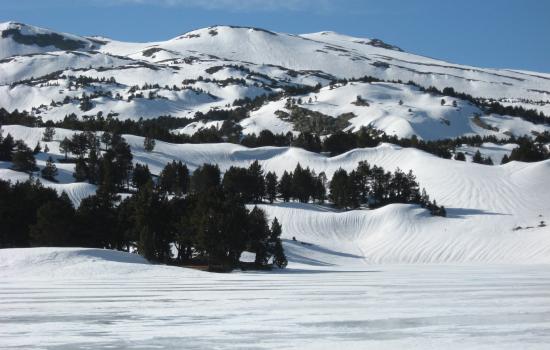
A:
[204,221]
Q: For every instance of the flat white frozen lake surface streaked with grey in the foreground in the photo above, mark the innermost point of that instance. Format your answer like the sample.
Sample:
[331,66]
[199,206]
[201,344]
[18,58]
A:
[140,306]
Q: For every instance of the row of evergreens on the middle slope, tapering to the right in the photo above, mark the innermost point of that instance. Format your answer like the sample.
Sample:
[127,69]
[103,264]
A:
[366,185]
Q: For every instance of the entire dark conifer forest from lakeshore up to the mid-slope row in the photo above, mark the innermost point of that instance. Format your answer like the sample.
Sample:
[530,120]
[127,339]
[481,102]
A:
[203,214]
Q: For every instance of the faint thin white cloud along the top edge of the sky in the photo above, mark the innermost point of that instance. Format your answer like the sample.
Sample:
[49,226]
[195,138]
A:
[234,5]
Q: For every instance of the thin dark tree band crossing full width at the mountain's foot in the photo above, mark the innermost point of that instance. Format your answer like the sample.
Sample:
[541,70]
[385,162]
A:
[337,143]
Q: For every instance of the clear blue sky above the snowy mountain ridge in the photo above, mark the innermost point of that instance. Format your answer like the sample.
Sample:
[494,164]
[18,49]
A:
[487,33]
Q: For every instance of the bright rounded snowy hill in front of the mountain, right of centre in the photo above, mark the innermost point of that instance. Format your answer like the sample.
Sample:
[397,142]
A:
[419,113]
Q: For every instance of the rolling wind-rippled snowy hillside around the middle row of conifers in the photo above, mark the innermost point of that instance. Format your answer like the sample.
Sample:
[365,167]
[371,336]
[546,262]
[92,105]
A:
[494,212]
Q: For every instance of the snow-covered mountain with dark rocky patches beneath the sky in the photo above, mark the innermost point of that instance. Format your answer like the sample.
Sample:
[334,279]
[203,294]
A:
[48,73]
